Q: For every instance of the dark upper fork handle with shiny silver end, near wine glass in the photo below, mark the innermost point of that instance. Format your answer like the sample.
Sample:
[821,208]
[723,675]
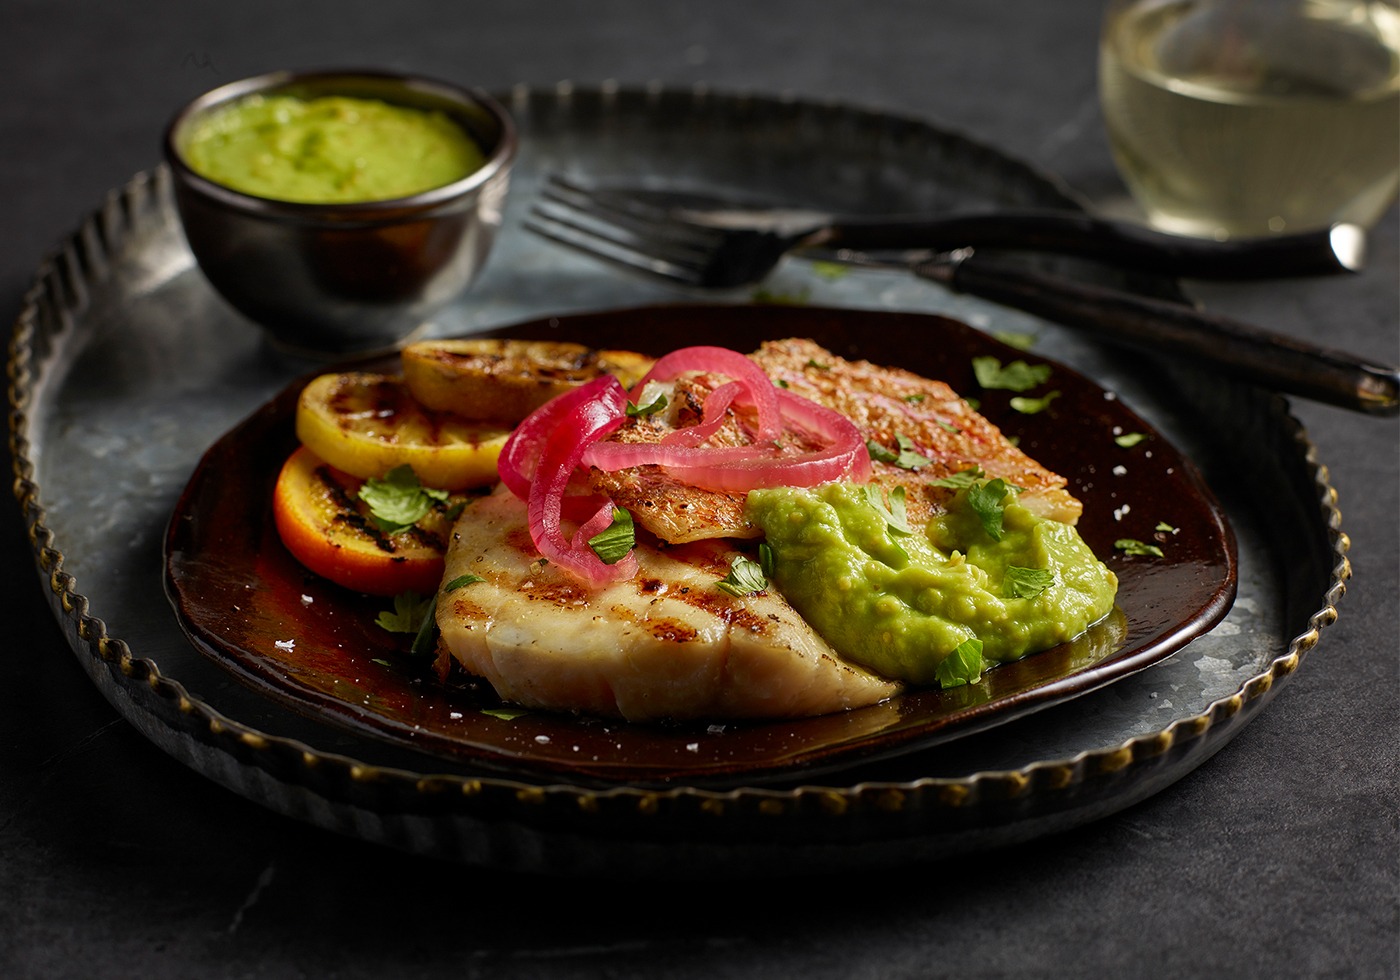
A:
[1122,244]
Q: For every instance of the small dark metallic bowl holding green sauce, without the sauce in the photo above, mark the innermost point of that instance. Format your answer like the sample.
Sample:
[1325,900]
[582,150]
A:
[348,278]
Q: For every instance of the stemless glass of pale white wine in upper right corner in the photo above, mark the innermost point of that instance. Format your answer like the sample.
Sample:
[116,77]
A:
[1233,118]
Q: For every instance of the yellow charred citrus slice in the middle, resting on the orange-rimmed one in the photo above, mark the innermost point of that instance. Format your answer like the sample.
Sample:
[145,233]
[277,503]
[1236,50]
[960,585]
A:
[367,425]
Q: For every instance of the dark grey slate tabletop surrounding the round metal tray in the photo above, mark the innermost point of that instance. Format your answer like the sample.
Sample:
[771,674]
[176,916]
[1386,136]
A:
[1276,859]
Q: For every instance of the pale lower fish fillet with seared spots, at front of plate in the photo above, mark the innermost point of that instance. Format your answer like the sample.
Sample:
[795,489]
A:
[663,646]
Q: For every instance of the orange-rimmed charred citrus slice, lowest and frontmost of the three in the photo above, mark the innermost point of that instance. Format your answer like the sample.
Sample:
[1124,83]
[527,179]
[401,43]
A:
[330,531]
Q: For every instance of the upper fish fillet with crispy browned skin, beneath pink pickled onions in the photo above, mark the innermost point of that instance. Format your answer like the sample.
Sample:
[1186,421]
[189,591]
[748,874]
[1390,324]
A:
[883,402]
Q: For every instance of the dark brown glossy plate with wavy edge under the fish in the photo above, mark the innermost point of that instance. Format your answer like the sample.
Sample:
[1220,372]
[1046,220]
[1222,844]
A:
[250,607]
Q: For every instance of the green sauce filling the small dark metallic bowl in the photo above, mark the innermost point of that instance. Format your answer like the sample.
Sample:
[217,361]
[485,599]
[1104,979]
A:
[330,150]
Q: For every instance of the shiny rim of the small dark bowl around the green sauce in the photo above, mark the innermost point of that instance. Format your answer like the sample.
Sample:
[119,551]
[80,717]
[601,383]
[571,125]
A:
[498,160]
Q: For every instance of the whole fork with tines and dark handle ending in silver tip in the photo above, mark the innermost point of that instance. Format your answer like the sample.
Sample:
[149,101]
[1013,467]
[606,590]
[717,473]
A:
[685,239]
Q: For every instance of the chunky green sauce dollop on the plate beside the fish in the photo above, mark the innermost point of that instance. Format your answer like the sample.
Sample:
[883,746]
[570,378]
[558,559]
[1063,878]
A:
[930,605]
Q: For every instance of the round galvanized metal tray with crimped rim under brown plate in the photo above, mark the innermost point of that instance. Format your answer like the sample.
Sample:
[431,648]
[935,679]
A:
[127,367]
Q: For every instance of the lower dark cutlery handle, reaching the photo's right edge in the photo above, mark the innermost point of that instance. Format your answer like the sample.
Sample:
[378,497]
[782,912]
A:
[1276,362]
